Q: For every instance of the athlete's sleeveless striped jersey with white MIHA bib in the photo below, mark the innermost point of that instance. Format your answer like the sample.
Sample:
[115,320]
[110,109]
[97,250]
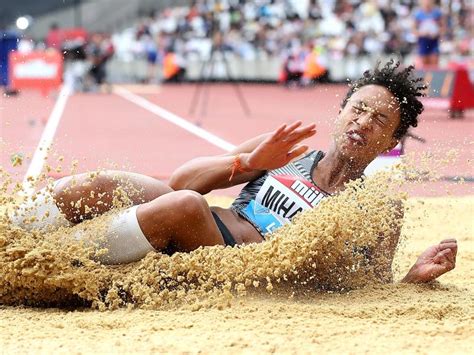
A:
[276,197]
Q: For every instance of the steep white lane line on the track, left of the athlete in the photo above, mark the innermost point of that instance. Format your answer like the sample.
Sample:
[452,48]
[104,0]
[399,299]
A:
[42,150]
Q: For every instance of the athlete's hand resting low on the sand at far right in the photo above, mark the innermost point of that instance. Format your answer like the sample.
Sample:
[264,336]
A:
[434,262]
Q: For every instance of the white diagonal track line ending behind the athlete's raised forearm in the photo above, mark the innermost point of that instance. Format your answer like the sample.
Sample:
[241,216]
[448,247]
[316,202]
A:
[175,119]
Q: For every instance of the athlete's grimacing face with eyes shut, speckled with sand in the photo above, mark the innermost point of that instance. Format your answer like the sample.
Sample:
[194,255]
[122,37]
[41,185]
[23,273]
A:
[366,125]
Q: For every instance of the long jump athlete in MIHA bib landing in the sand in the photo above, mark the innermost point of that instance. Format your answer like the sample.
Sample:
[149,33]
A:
[374,116]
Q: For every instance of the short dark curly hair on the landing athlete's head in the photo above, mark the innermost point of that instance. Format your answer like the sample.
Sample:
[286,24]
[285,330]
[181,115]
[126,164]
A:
[402,85]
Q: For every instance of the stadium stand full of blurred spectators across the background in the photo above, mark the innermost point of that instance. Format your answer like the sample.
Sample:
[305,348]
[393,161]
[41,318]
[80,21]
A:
[263,40]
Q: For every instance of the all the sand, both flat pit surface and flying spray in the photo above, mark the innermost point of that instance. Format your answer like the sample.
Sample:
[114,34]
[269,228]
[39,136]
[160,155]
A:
[312,286]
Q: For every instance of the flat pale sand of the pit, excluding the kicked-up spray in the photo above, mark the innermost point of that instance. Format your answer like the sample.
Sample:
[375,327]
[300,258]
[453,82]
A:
[434,318]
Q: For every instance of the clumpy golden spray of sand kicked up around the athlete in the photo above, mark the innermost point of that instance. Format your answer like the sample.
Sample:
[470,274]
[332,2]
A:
[331,247]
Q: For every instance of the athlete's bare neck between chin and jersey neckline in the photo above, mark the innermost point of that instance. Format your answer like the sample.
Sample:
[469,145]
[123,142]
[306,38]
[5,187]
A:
[335,169]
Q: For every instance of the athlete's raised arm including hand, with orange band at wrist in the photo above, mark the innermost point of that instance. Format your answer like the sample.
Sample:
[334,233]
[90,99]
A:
[267,151]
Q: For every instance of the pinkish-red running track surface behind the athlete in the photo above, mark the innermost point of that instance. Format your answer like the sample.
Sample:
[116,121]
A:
[105,130]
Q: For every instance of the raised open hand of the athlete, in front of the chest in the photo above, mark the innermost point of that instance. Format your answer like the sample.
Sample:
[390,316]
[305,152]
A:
[280,147]
